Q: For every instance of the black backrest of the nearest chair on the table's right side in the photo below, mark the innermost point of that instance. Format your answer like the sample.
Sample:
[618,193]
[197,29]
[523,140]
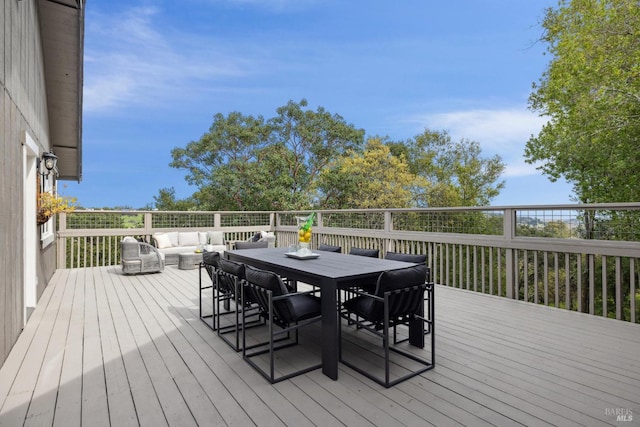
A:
[407,302]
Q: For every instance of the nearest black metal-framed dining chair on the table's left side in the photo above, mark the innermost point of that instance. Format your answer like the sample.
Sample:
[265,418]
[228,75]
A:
[285,313]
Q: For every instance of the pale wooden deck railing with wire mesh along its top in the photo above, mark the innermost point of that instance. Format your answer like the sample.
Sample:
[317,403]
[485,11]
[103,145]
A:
[539,254]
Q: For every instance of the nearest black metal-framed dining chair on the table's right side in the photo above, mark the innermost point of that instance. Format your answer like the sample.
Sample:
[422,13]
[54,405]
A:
[398,300]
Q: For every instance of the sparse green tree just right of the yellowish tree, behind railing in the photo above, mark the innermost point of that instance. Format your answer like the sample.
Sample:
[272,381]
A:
[455,172]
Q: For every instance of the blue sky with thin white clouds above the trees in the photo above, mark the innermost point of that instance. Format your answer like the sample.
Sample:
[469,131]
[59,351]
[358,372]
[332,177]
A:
[156,72]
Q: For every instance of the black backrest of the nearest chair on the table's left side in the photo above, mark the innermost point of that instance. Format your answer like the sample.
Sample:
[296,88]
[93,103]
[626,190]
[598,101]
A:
[262,281]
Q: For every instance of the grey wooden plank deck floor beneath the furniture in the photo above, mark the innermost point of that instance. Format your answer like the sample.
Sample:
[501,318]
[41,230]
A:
[106,349]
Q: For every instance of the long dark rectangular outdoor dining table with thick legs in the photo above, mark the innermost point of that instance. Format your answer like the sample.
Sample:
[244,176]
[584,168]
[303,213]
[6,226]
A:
[329,271]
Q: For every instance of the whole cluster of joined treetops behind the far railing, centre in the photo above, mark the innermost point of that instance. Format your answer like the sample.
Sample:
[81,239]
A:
[304,159]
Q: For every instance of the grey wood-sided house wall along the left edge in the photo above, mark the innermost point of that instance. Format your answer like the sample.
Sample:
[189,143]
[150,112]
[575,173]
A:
[23,109]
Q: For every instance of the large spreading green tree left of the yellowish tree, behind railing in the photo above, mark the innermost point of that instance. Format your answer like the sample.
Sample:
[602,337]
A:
[247,163]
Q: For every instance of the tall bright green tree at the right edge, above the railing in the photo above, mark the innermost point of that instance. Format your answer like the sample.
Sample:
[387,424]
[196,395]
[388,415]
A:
[591,94]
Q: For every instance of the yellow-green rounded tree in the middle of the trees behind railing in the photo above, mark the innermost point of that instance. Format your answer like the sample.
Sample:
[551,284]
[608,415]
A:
[372,179]
